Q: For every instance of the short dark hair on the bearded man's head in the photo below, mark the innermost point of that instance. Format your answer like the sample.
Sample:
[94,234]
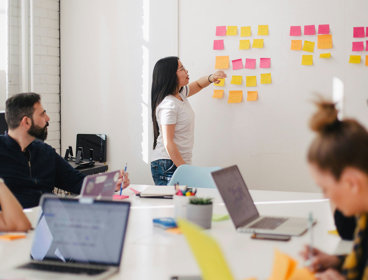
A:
[18,106]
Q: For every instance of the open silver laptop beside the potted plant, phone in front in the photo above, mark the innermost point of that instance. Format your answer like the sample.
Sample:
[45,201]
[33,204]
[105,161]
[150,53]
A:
[243,211]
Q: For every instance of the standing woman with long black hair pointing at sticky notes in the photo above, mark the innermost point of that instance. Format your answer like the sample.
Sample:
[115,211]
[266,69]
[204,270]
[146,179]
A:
[173,117]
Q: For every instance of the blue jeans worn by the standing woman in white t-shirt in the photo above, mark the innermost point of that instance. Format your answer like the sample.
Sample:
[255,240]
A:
[162,171]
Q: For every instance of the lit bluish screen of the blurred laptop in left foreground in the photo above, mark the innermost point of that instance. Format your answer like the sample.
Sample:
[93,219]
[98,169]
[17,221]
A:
[72,231]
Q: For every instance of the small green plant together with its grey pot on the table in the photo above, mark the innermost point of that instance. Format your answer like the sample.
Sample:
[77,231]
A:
[199,211]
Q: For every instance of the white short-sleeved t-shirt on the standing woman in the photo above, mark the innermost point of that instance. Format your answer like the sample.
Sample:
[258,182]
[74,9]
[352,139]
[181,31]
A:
[174,111]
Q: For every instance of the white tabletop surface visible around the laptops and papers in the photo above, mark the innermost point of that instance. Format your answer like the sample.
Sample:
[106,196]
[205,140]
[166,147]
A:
[152,253]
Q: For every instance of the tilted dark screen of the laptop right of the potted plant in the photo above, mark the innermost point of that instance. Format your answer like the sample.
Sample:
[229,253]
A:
[236,196]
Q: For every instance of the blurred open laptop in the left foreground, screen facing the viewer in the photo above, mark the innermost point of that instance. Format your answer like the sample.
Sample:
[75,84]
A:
[77,239]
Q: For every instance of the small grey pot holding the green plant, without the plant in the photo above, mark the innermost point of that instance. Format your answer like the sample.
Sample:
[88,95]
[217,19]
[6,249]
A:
[200,214]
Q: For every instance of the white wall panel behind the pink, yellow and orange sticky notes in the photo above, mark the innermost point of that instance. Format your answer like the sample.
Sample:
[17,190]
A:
[269,138]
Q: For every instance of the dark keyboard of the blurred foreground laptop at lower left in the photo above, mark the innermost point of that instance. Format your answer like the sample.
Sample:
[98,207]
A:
[63,269]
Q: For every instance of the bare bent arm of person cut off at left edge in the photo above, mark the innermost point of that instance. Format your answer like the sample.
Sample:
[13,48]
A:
[12,217]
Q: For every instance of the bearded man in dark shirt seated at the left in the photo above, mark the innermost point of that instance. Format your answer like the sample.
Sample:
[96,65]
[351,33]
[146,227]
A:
[29,166]
